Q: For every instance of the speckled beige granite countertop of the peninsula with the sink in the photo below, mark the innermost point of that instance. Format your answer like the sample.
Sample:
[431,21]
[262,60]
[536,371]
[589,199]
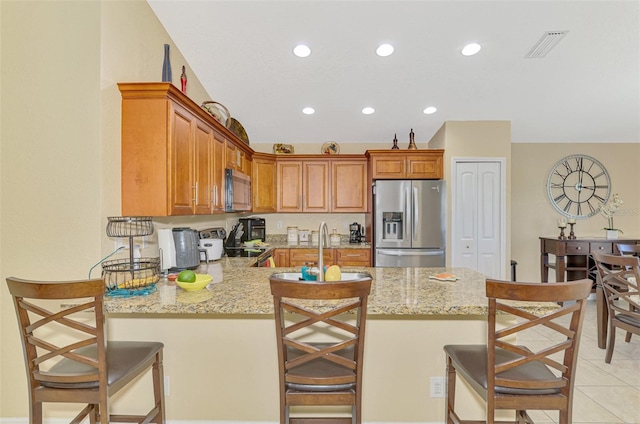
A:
[238,289]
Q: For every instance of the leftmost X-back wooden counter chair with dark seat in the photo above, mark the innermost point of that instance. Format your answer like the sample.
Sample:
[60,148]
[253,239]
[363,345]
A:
[68,358]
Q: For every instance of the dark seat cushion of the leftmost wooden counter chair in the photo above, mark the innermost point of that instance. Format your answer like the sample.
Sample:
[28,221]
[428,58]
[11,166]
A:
[122,357]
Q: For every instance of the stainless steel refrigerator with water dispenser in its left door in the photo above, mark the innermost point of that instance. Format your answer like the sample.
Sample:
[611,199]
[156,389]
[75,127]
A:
[409,223]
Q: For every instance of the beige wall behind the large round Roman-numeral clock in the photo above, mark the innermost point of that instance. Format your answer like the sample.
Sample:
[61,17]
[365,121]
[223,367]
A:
[532,213]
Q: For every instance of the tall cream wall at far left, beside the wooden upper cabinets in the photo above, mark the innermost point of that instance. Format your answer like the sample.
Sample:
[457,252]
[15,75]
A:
[60,143]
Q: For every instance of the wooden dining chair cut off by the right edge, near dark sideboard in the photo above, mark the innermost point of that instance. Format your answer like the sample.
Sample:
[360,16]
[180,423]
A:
[619,277]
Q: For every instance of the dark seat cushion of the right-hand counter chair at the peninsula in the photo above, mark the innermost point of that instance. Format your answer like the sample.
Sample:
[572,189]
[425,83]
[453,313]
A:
[471,362]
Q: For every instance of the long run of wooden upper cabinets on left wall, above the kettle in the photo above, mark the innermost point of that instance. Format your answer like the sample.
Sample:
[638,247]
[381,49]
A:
[173,153]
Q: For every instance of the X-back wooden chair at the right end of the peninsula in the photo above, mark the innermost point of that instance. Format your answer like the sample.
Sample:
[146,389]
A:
[508,375]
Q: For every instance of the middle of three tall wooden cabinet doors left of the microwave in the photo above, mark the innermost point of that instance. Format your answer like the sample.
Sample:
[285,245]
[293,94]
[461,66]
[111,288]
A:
[203,164]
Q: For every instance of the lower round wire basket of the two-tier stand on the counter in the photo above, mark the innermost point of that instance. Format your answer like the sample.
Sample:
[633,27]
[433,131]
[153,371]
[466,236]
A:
[125,274]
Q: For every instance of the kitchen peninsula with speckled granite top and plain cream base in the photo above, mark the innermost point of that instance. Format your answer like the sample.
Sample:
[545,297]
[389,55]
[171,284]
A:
[220,342]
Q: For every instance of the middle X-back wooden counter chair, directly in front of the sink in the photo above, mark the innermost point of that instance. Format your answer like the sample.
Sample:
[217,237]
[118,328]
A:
[320,329]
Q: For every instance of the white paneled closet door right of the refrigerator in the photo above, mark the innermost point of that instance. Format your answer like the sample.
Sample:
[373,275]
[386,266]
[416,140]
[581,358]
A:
[478,207]
